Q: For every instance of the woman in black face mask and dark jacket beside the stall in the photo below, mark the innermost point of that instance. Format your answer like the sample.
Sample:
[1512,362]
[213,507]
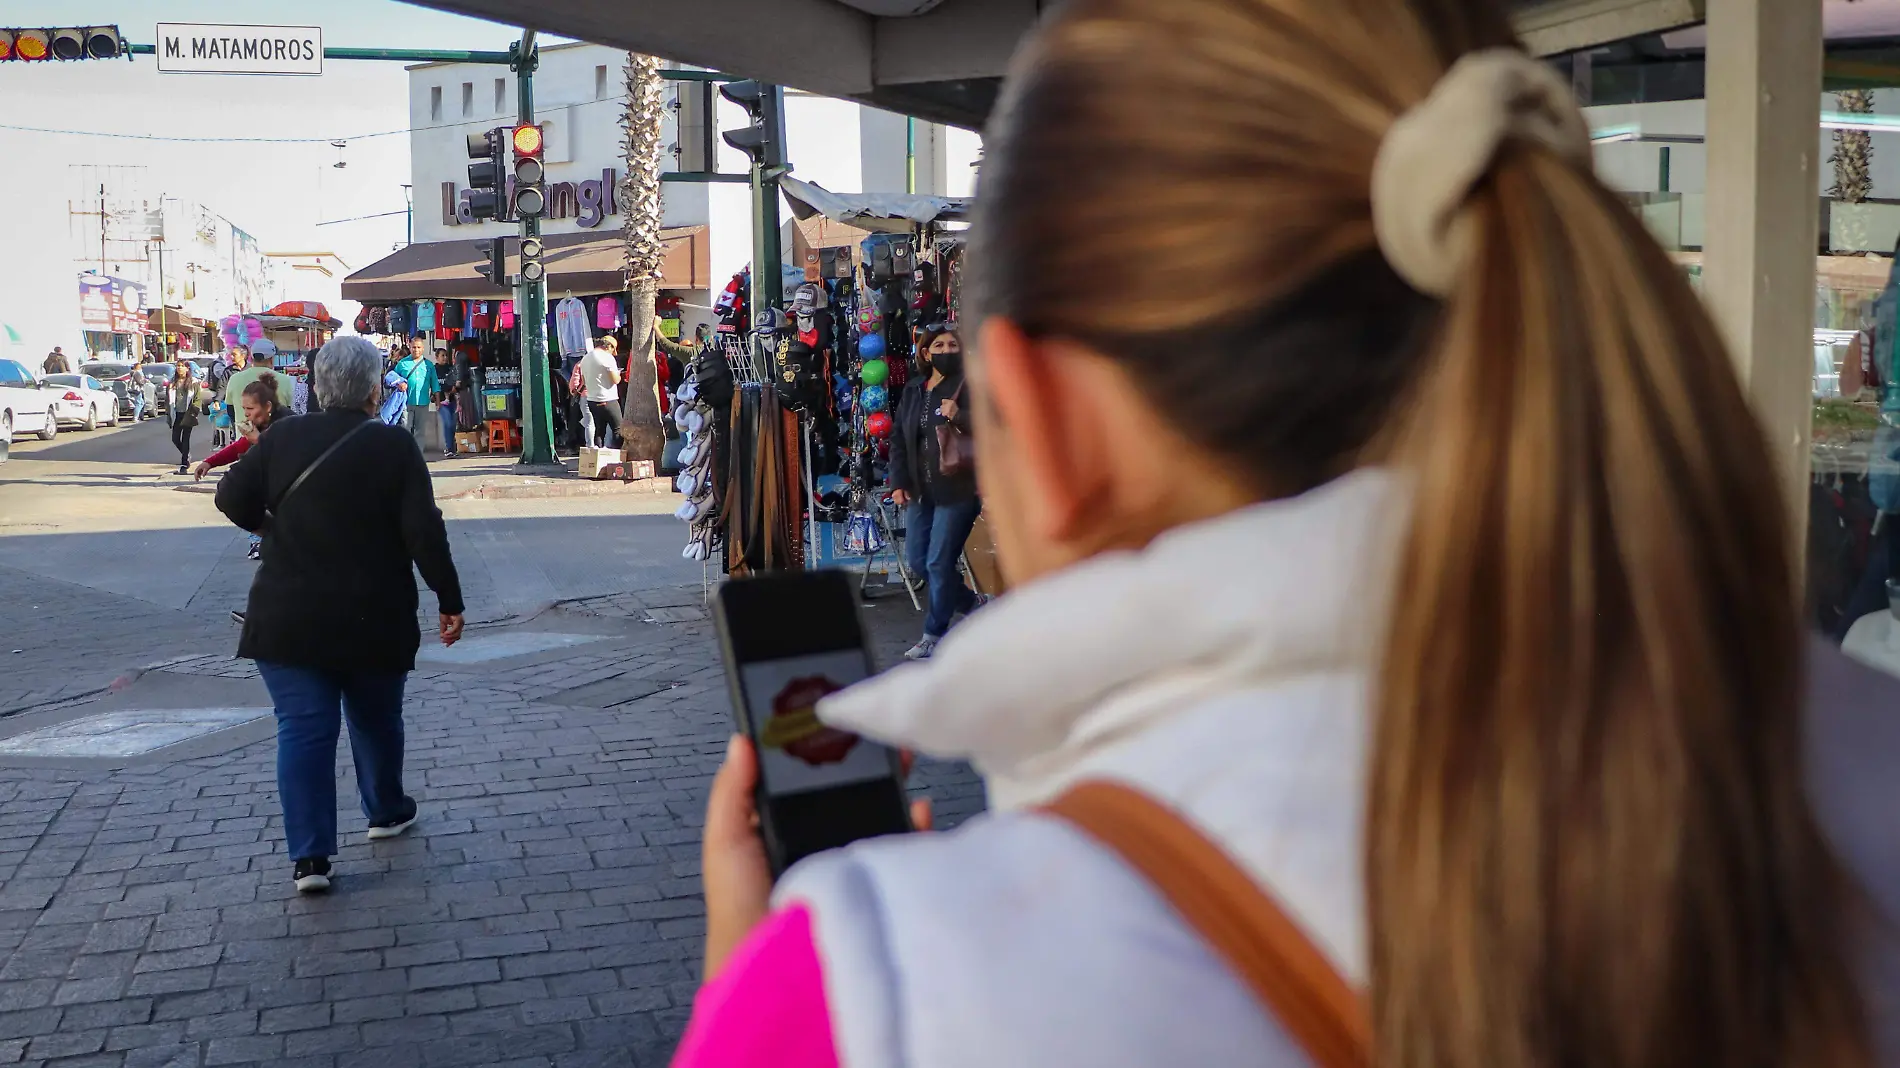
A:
[941,505]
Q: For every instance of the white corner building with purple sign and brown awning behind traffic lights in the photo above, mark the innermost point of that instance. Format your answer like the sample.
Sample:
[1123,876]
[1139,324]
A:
[579,100]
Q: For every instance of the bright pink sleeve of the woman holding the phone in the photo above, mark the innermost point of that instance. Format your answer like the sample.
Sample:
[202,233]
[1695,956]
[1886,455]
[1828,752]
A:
[767,1010]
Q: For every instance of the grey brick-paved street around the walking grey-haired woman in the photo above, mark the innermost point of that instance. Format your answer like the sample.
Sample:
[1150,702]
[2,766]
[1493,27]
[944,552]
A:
[546,909]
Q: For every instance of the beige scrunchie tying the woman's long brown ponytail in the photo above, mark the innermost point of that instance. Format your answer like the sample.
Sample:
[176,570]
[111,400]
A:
[1439,151]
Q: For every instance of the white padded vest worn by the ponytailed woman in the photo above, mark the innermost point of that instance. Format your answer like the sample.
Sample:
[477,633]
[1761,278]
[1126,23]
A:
[1225,672]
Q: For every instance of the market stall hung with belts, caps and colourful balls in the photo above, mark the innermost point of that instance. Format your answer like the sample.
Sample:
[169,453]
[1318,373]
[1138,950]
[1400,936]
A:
[793,451]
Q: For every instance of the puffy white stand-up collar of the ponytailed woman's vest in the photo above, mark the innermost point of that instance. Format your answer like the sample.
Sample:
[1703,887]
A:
[1124,641]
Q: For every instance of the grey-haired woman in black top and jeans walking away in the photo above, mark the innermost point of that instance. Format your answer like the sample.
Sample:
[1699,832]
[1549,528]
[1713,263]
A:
[347,508]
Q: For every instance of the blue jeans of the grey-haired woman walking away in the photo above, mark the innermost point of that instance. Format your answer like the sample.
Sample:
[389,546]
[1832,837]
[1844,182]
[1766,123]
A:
[311,710]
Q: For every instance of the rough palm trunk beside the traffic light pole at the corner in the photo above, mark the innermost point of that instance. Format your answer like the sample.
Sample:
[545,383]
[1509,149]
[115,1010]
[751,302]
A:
[639,202]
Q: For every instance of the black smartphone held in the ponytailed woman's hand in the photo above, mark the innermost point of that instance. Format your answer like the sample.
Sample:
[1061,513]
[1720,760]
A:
[789,639]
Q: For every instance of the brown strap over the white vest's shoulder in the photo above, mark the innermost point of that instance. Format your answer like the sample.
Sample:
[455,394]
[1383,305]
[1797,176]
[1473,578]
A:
[1285,970]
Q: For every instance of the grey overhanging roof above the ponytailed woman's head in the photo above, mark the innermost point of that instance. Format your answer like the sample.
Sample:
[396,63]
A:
[938,60]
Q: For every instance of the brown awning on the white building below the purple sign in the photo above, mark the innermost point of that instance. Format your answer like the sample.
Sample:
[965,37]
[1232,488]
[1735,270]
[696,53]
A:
[577,263]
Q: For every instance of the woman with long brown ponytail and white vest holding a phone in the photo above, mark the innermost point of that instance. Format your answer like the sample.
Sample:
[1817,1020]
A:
[1396,552]
